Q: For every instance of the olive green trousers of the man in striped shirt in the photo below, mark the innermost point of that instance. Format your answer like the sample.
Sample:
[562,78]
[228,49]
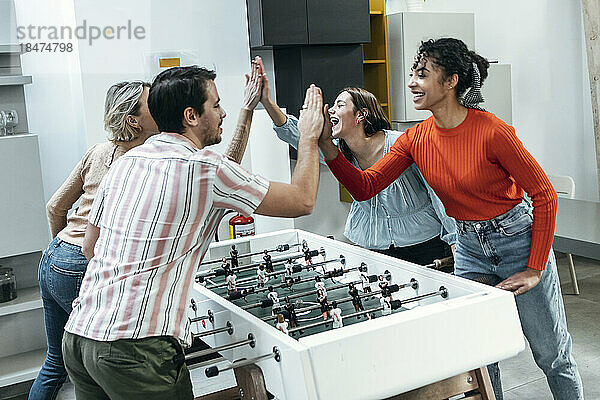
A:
[127,369]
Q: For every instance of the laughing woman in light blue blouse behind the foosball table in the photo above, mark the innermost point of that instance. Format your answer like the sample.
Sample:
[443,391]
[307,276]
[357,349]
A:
[406,220]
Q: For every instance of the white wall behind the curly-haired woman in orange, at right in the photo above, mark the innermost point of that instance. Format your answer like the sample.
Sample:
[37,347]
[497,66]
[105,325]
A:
[543,41]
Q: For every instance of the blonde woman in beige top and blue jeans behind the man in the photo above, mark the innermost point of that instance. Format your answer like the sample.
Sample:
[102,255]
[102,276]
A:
[128,123]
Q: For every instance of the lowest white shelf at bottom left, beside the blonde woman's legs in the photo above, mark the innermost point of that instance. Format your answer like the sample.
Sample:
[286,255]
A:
[21,367]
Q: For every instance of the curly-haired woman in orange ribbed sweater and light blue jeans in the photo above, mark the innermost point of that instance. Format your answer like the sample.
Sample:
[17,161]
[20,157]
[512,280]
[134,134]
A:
[480,169]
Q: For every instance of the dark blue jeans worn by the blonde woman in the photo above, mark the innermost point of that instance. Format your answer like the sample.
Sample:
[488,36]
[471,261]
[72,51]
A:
[60,274]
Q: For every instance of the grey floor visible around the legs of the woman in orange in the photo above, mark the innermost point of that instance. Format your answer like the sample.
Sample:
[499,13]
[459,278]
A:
[522,379]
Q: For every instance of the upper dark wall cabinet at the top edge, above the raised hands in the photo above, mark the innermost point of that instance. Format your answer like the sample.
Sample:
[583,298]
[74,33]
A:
[307,22]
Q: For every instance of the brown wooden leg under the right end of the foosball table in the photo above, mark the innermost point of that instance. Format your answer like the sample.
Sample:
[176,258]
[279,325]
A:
[475,385]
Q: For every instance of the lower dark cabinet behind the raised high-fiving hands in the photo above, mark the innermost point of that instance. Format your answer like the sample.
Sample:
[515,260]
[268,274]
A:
[330,67]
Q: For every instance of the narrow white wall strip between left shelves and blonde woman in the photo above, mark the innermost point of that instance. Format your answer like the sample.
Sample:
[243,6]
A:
[55,99]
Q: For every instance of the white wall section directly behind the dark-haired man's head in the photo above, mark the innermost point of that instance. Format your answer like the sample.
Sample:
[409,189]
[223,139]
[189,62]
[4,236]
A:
[216,34]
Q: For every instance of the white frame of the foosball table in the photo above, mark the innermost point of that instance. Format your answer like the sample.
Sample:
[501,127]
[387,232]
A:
[374,359]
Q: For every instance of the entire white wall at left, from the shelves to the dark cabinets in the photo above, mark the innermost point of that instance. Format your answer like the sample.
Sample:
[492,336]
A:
[66,101]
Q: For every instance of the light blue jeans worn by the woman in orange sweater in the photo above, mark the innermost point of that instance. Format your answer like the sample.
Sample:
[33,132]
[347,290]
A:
[491,251]
